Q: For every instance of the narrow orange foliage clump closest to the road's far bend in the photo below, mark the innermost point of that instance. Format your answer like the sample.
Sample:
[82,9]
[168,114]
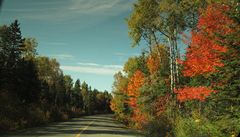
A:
[136,81]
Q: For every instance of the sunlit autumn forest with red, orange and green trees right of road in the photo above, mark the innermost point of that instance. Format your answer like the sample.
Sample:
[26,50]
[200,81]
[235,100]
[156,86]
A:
[165,93]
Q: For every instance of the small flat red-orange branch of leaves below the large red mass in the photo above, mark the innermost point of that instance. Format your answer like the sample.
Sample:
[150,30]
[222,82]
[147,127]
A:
[193,93]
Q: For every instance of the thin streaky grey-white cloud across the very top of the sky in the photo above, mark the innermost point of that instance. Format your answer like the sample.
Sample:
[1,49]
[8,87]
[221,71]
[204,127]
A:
[67,10]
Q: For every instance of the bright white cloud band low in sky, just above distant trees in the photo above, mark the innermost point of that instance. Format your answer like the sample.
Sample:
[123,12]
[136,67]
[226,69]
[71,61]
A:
[93,68]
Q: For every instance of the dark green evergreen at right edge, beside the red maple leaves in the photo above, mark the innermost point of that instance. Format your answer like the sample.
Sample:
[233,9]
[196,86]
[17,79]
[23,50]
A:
[225,104]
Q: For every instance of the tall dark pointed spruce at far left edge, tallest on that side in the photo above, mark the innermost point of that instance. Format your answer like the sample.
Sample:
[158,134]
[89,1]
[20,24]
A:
[11,43]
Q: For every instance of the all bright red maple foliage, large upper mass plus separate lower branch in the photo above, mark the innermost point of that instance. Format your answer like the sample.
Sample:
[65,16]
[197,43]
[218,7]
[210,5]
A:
[204,53]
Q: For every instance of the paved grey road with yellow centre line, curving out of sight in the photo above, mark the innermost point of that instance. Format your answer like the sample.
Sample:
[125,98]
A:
[87,126]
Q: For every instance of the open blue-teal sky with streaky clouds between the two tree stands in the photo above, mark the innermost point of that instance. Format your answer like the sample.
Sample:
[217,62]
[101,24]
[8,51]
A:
[88,37]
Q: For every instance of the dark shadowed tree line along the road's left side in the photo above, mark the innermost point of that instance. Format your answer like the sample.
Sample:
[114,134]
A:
[34,90]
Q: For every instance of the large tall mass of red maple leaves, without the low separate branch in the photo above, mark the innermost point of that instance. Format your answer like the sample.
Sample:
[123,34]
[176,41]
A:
[203,53]
